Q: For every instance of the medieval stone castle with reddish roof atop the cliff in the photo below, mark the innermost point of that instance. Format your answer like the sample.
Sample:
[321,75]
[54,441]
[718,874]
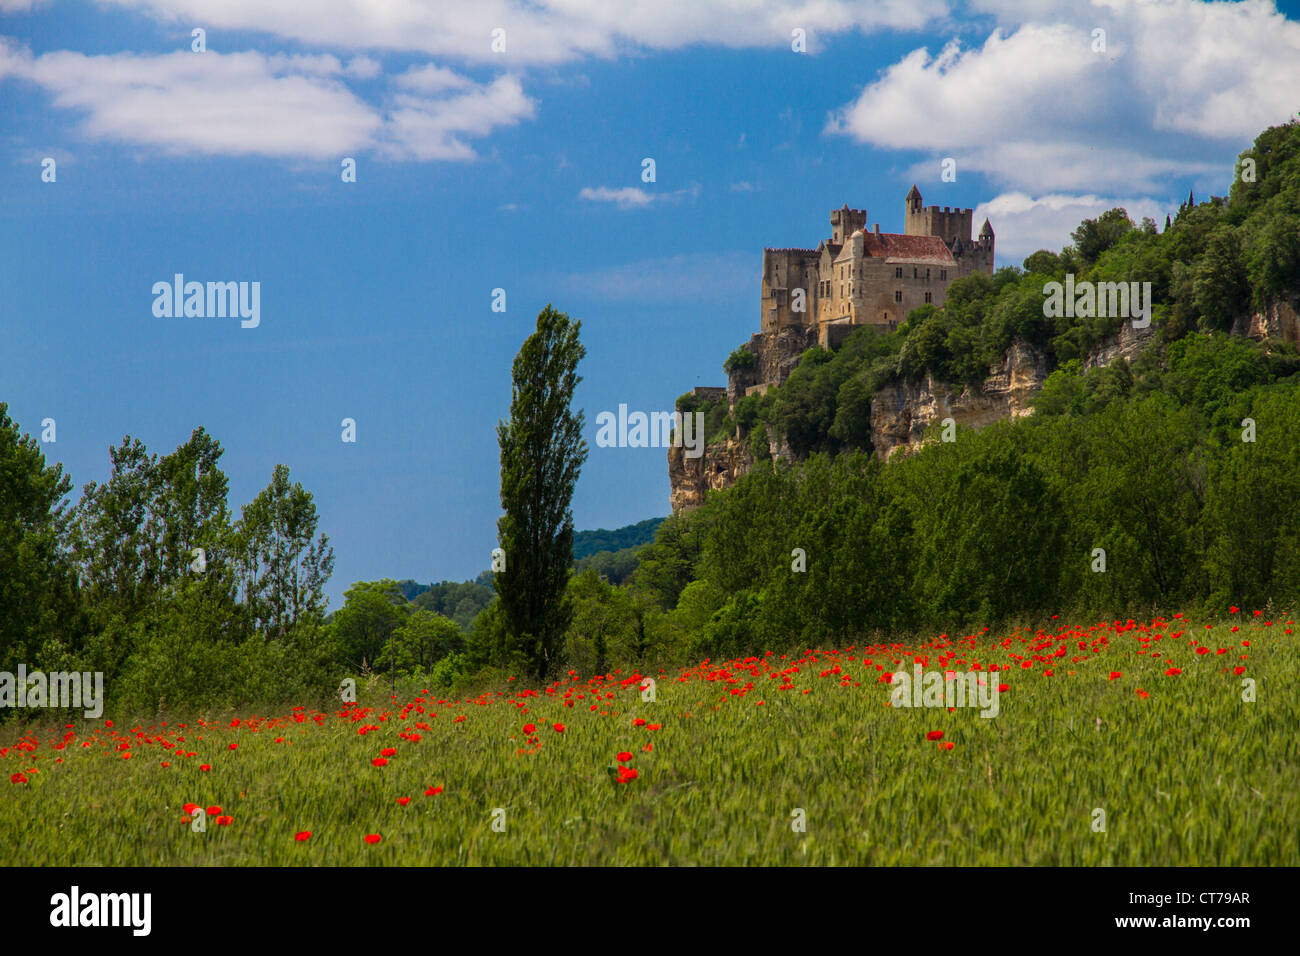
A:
[860,278]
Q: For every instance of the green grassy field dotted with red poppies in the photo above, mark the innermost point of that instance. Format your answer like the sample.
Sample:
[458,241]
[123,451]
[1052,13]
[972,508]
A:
[1182,736]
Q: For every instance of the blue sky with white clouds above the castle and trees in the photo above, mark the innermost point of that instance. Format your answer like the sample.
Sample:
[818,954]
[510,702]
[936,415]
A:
[522,171]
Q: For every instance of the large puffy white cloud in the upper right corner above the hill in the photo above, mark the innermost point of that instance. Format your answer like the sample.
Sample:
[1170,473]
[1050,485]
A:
[1038,109]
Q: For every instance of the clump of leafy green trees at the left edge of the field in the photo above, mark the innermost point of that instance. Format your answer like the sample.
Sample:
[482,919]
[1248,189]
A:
[149,581]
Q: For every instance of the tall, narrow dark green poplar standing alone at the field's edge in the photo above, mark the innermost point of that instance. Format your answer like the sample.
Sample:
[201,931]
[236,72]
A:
[541,456]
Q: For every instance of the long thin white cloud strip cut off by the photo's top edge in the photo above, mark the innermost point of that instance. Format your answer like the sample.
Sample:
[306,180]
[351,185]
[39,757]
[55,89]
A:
[543,32]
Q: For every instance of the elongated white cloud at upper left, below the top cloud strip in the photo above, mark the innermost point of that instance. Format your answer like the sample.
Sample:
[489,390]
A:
[268,106]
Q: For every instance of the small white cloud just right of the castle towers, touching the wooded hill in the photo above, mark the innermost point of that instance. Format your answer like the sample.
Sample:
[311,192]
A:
[1025,224]
